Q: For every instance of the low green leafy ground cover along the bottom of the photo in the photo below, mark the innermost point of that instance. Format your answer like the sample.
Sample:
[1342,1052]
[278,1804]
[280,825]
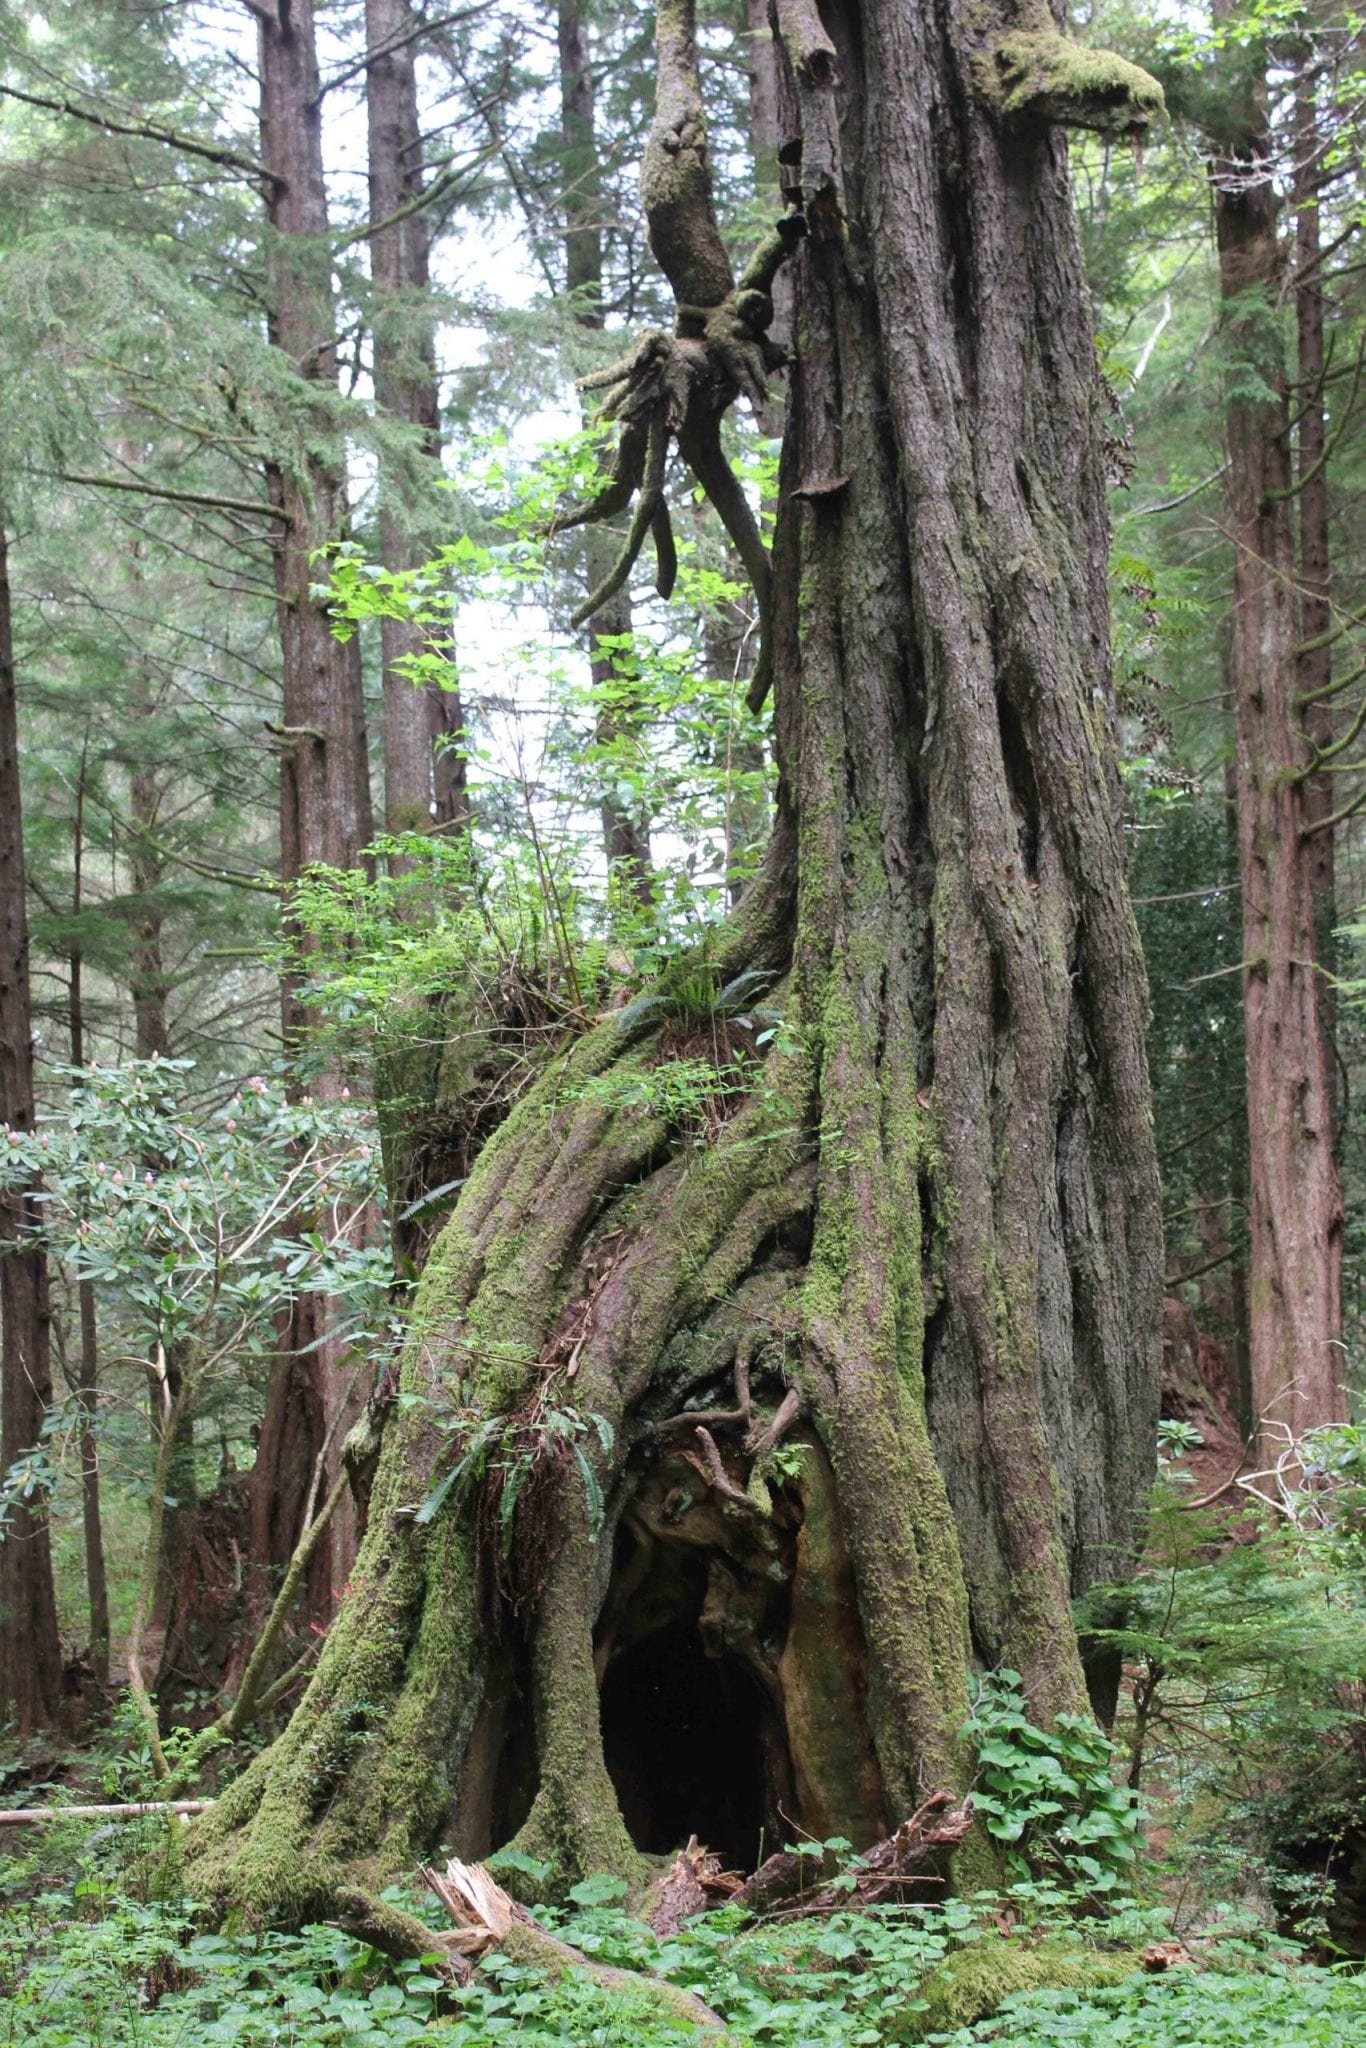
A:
[99,1965]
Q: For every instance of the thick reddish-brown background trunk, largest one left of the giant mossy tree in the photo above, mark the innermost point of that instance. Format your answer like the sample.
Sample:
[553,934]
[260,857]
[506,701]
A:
[325,769]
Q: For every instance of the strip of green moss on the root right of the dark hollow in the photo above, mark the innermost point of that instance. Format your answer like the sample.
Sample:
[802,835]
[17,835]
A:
[863,1308]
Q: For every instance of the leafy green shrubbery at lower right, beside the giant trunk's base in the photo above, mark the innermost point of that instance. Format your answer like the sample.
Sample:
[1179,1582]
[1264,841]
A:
[1248,1703]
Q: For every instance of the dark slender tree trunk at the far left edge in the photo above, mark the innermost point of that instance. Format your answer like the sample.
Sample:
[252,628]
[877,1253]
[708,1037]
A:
[30,1646]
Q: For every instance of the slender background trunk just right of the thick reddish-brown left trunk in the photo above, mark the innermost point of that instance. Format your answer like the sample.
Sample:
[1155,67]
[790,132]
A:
[425,765]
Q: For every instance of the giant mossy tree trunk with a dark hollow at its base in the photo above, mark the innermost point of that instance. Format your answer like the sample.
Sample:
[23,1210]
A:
[929,1240]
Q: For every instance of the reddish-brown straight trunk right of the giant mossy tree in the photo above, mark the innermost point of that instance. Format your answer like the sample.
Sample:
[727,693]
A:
[1295,1197]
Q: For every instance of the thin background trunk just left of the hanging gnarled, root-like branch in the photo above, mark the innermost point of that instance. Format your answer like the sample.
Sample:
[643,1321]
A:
[626,830]
